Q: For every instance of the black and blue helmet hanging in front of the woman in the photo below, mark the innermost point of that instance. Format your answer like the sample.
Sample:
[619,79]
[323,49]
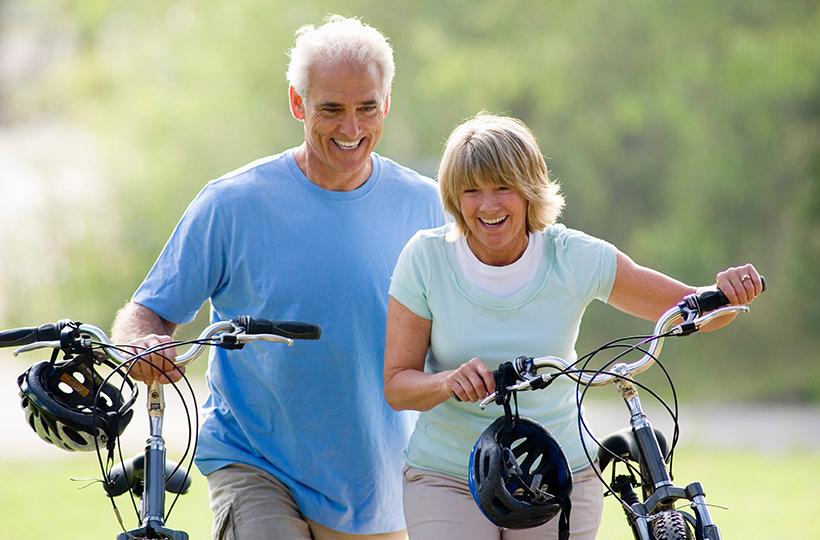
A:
[519,476]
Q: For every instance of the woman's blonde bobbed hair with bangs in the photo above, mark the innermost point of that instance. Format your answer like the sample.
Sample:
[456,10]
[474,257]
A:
[490,149]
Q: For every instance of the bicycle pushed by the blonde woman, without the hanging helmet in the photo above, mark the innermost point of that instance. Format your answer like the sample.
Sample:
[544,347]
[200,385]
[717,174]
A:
[640,448]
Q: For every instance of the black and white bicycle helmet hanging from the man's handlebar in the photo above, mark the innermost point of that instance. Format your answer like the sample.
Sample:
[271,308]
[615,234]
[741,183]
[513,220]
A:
[68,404]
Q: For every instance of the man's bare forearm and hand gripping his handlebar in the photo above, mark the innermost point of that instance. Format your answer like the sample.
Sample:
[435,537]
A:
[140,327]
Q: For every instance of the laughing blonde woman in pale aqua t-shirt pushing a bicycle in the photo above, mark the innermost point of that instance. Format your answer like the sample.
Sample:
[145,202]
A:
[503,280]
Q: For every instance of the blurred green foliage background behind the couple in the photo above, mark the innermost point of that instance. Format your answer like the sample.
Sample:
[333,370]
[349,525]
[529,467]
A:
[686,132]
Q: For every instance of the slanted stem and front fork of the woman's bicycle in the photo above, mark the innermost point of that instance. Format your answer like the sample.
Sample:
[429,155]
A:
[659,490]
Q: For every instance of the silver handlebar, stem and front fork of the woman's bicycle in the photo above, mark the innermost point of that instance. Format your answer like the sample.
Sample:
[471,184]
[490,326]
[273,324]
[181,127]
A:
[659,492]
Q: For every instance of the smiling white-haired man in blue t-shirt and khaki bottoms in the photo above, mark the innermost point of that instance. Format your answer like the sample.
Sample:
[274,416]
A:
[299,442]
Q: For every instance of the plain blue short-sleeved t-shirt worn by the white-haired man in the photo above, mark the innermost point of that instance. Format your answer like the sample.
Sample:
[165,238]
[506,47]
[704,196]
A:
[266,242]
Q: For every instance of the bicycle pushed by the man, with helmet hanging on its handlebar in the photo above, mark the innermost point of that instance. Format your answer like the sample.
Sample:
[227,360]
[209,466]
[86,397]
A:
[69,404]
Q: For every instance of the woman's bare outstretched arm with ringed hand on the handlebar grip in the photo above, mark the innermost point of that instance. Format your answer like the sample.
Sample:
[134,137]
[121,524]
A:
[647,293]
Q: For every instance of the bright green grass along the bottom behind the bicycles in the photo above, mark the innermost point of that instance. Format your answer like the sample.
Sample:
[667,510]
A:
[769,496]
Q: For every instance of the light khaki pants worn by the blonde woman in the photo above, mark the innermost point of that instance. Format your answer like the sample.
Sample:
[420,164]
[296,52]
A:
[437,507]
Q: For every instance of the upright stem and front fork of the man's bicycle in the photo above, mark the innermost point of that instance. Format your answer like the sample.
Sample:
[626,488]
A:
[153,498]
